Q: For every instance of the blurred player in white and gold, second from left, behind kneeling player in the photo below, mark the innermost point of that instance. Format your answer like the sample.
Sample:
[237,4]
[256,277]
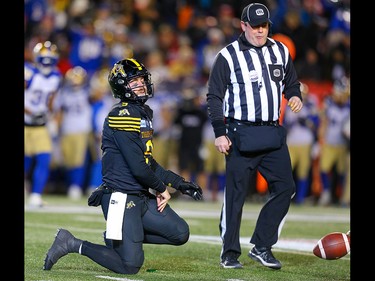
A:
[74,121]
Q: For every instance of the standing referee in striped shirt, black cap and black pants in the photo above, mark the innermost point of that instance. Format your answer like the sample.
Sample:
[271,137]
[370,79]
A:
[244,98]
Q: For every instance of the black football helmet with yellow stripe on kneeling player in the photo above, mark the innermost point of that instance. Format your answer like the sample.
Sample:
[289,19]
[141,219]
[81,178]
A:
[122,72]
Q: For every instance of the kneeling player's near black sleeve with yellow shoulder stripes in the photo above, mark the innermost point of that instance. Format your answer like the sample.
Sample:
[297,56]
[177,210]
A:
[126,136]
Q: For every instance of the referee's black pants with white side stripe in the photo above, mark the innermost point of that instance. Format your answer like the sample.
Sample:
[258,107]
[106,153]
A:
[275,166]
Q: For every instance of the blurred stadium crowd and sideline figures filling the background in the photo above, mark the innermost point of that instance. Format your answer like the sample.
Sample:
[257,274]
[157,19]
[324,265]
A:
[178,41]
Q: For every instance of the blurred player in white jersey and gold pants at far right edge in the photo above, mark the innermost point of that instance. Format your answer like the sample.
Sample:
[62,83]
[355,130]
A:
[333,153]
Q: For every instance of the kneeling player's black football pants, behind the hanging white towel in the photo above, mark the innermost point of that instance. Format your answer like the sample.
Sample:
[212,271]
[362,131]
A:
[142,223]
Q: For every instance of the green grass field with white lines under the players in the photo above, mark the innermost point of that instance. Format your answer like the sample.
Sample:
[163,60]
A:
[198,259]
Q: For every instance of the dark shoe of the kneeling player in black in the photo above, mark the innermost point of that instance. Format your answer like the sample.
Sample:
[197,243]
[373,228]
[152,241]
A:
[64,243]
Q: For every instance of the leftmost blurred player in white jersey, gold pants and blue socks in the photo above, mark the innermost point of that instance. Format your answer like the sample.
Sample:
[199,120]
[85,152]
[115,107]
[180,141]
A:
[42,81]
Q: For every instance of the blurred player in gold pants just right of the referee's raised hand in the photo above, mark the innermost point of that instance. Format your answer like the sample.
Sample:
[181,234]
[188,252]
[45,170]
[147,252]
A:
[301,136]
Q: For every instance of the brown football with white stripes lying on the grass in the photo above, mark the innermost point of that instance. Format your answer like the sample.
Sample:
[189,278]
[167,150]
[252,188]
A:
[332,246]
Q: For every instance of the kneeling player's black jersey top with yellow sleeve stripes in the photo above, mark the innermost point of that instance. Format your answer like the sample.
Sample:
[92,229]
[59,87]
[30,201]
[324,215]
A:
[127,162]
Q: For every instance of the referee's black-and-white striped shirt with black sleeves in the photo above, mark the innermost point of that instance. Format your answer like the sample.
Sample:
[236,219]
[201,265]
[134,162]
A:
[246,83]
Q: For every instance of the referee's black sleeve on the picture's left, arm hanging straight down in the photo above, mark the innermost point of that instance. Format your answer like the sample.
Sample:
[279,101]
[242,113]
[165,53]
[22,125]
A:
[217,85]
